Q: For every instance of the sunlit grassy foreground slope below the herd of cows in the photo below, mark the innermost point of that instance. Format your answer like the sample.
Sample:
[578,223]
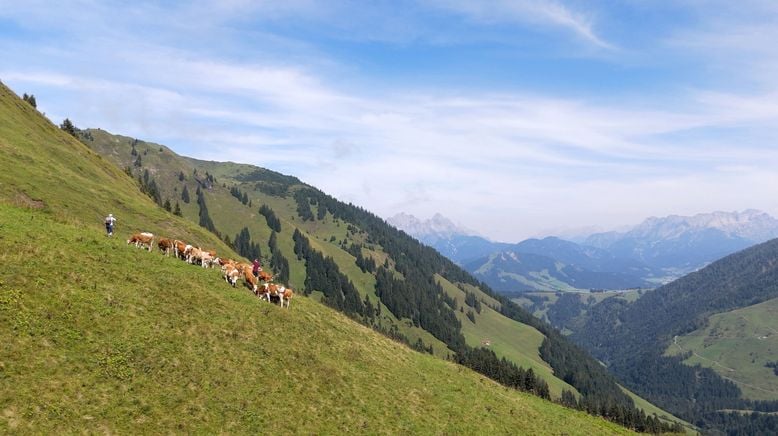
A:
[102,337]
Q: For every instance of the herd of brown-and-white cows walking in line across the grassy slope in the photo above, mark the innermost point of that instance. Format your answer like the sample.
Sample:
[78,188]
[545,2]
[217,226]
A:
[231,270]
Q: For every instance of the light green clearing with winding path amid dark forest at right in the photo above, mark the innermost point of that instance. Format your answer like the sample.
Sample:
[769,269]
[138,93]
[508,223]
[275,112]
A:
[737,345]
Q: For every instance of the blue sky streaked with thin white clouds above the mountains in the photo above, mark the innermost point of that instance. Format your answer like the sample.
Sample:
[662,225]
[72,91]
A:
[514,118]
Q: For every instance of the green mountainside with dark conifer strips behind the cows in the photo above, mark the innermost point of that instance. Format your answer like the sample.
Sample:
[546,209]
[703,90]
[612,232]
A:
[353,261]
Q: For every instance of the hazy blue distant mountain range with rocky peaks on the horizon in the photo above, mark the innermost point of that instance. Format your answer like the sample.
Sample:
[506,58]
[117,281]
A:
[653,252]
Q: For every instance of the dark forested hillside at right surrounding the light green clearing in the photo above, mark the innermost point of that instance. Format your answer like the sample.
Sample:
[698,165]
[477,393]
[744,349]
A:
[631,338]
